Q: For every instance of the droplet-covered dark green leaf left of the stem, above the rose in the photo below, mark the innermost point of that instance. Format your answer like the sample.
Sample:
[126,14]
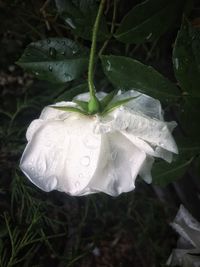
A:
[57,60]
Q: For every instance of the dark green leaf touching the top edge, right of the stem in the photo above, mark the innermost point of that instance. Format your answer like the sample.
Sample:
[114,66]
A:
[148,20]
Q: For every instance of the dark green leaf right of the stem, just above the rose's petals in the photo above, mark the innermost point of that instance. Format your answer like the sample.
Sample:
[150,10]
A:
[127,73]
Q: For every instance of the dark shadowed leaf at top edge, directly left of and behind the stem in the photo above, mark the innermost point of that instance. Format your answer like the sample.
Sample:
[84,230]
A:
[80,17]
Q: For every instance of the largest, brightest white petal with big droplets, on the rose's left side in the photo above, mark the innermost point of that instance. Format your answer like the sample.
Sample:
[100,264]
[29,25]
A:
[65,151]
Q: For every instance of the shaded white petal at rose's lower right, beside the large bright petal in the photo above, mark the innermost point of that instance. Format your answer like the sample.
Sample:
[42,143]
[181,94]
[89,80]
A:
[118,166]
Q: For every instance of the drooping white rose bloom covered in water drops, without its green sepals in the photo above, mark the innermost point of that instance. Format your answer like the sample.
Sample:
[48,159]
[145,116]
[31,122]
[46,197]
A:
[80,154]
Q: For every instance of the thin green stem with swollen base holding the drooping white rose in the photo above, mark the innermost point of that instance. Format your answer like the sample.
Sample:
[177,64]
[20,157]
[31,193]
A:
[94,104]
